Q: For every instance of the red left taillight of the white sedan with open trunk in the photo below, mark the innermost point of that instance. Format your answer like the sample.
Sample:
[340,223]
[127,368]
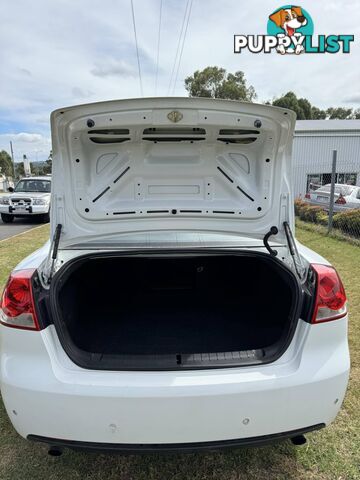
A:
[17,308]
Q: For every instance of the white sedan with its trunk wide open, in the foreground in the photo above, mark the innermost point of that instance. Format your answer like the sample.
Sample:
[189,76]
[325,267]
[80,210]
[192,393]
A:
[173,309]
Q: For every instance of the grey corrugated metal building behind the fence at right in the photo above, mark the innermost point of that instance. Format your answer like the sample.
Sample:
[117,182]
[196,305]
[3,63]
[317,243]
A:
[312,153]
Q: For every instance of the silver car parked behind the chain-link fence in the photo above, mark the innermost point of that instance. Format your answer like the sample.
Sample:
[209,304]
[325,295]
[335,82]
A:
[346,197]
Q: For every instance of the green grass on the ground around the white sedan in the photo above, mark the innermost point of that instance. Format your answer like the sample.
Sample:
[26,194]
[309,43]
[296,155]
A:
[332,453]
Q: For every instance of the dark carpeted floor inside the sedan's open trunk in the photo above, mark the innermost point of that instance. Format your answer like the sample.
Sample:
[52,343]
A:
[178,323]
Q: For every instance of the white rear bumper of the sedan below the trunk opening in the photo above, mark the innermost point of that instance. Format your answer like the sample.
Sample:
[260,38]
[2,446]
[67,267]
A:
[46,395]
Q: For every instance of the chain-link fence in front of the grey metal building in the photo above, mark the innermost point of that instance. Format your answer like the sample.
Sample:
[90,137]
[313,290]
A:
[328,194]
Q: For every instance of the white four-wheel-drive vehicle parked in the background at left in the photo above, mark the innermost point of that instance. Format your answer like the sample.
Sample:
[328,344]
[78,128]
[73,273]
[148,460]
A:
[30,198]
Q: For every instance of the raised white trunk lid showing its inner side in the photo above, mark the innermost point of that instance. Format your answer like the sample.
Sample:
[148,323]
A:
[170,164]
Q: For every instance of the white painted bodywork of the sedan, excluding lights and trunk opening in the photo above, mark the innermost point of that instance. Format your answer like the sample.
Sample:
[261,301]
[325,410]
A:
[48,395]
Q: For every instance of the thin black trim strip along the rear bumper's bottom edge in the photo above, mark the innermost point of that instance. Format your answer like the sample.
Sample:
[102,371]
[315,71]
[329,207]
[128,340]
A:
[173,447]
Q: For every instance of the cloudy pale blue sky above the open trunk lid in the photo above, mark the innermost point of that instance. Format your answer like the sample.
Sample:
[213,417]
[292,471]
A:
[56,53]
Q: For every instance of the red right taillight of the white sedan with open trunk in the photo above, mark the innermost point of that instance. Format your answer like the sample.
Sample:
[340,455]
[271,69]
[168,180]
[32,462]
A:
[330,302]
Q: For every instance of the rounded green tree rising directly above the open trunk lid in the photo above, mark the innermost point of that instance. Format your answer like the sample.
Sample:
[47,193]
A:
[214,82]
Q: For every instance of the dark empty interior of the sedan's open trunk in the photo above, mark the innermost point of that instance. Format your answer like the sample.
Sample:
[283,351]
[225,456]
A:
[175,307]
